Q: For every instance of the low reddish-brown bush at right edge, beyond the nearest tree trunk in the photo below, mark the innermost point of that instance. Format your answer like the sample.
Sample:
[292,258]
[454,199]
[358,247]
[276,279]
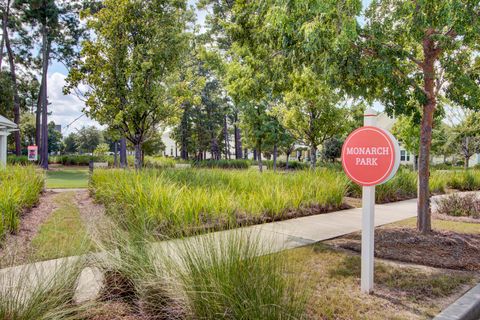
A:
[467,205]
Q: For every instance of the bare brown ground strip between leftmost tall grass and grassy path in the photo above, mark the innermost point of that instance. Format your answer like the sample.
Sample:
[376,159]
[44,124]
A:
[16,248]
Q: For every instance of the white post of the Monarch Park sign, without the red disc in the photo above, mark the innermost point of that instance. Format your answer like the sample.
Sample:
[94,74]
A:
[368,222]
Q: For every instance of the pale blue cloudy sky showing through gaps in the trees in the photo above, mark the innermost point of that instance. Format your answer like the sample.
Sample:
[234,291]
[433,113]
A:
[66,109]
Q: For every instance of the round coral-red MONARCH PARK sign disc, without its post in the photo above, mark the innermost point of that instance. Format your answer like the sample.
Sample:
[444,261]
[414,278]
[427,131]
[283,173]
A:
[369,156]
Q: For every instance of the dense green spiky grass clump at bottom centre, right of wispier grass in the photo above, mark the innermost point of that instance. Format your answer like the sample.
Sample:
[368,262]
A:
[226,278]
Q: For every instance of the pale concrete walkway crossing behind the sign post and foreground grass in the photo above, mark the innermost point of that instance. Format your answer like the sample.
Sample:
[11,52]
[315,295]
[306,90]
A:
[281,235]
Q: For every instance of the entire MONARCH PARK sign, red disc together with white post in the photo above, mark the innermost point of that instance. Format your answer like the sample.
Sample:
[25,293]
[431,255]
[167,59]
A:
[370,156]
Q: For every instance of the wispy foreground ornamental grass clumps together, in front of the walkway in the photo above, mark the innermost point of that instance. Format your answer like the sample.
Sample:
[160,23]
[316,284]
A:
[213,276]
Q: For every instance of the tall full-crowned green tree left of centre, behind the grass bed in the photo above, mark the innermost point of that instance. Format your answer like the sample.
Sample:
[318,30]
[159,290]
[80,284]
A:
[130,65]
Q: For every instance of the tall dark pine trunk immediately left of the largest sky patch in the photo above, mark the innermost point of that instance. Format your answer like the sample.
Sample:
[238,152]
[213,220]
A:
[45,59]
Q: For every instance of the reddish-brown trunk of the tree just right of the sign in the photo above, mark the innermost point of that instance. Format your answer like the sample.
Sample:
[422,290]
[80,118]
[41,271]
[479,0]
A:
[424,223]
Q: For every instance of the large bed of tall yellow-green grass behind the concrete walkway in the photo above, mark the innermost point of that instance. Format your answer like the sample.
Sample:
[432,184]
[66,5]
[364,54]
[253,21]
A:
[170,200]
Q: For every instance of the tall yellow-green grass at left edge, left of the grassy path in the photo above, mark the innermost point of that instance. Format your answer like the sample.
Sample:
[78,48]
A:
[20,188]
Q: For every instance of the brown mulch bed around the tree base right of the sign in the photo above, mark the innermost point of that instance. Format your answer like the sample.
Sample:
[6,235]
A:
[438,249]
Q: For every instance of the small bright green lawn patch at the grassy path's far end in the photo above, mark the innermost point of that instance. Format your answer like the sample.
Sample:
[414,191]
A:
[67,179]
